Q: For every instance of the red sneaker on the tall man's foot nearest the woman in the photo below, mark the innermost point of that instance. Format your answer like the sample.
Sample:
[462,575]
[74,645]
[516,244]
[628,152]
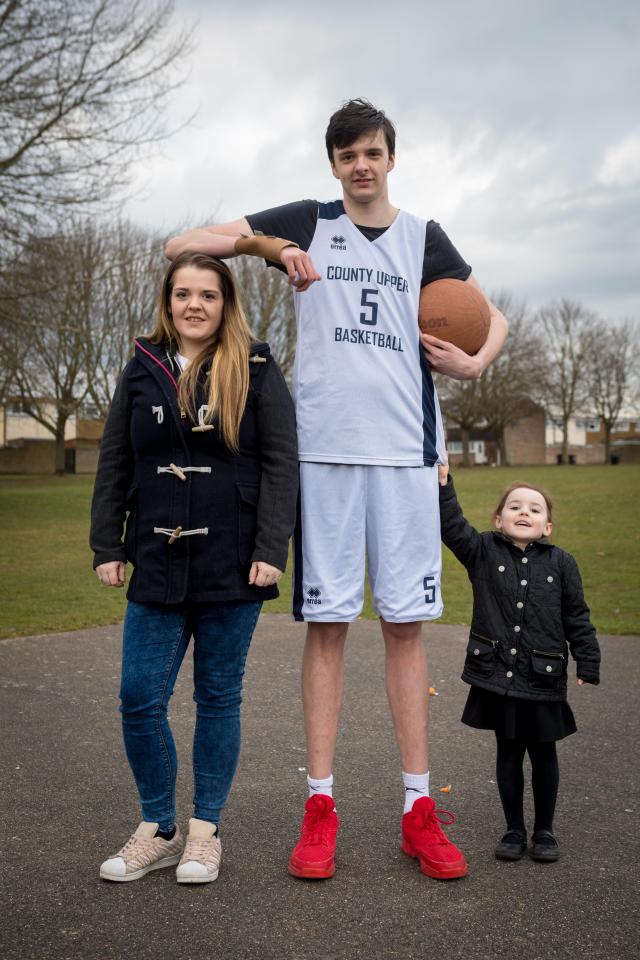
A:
[312,856]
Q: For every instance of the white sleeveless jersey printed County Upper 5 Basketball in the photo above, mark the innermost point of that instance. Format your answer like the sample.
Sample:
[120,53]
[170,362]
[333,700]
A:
[362,386]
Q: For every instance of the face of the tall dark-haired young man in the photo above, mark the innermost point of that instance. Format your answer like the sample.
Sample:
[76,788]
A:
[362,168]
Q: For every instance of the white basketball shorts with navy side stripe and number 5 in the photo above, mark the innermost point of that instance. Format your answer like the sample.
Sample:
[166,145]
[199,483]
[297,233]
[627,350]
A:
[389,514]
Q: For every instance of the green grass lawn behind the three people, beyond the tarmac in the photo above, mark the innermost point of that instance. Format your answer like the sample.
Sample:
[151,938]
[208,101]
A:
[49,586]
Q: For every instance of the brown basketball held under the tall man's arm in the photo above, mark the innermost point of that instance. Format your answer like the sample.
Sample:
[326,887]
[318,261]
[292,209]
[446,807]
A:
[454,311]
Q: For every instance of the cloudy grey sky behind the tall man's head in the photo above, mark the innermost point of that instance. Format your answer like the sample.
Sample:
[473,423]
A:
[518,128]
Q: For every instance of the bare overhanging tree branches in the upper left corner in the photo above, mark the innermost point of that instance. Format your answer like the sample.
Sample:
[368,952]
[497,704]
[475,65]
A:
[83,87]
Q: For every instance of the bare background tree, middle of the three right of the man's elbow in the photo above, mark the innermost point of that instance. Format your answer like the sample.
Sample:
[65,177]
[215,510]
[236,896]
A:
[567,328]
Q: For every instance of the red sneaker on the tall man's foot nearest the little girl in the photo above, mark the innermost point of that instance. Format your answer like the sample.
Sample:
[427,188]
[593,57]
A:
[424,839]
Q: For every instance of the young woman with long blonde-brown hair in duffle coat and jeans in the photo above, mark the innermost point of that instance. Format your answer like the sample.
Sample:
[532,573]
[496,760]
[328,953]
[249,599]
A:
[199,455]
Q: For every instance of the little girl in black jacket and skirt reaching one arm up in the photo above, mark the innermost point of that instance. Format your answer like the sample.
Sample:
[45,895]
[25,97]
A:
[528,606]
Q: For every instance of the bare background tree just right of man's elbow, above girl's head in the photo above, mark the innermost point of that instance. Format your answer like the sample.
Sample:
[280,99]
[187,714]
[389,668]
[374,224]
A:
[509,383]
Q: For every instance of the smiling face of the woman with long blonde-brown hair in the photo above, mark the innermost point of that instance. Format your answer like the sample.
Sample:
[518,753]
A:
[196,308]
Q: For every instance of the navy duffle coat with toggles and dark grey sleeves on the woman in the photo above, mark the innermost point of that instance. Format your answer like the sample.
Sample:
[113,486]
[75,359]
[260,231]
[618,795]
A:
[227,509]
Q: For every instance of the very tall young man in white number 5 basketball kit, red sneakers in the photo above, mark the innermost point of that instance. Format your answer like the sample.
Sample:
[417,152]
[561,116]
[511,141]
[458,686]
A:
[370,437]
